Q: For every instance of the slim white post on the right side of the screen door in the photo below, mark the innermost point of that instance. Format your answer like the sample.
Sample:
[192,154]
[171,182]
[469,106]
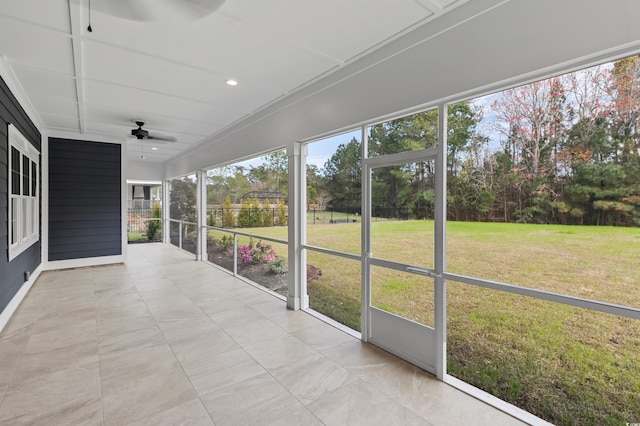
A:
[440,302]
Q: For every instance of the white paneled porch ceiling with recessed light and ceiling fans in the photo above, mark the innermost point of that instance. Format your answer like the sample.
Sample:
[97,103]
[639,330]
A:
[170,70]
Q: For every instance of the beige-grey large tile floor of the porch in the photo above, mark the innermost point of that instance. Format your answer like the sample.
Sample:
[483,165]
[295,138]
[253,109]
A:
[165,340]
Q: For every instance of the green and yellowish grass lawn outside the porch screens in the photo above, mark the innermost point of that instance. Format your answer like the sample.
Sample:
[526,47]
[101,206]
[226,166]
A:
[567,365]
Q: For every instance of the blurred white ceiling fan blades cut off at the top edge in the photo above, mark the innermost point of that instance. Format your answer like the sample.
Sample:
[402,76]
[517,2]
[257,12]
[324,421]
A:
[151,10]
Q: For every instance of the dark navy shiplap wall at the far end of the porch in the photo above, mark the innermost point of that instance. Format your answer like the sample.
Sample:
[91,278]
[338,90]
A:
[85,214]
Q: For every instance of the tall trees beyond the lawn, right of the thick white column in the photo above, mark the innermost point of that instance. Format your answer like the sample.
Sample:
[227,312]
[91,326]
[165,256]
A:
[563,150]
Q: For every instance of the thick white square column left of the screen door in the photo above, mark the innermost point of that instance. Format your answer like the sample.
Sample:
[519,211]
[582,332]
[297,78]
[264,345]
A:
[297,297]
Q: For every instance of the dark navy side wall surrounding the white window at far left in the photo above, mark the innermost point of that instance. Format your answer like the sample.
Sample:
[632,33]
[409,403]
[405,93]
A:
[12,273]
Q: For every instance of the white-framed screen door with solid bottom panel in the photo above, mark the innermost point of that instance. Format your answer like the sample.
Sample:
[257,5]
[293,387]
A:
[399,260]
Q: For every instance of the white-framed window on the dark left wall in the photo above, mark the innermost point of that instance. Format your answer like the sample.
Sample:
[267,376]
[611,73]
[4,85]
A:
[24,198]
